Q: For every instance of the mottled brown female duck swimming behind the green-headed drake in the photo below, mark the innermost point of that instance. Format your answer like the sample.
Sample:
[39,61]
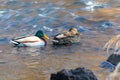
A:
[67,38]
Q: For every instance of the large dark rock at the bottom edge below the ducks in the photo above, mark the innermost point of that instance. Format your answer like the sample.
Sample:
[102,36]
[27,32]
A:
[74,74]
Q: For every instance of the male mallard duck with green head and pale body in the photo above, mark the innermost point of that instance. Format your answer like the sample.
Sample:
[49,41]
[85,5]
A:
[37,40]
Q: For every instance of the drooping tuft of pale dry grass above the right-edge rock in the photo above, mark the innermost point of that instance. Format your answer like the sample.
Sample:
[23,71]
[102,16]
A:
[113,43]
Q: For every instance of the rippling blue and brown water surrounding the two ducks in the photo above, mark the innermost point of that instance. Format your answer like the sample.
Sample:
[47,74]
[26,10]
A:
[96,20]
